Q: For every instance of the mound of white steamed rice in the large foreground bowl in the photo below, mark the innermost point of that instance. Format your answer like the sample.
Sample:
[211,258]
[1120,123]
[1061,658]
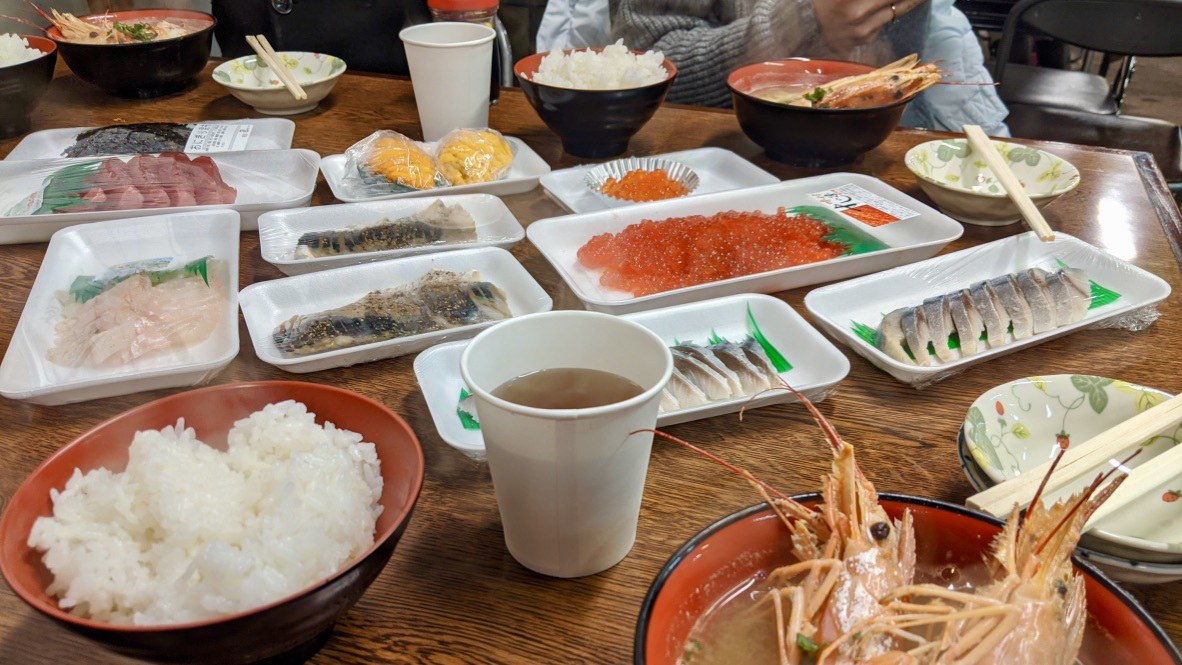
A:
[190,533]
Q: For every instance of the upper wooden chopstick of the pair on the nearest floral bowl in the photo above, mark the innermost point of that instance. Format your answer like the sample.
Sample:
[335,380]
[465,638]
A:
[1086,459]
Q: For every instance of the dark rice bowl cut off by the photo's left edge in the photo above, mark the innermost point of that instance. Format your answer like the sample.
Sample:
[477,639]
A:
[27,68]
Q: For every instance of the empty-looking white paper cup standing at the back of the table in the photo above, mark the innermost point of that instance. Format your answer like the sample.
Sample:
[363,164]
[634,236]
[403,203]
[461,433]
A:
[451,64]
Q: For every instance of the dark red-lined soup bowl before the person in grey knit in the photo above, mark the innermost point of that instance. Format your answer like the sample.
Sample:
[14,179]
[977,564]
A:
[801,135]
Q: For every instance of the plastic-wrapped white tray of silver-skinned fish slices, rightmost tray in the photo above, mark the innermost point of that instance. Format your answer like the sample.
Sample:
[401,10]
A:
[1015,292]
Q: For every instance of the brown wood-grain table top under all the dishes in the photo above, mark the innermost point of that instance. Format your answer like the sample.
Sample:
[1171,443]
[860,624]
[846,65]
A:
[452,594]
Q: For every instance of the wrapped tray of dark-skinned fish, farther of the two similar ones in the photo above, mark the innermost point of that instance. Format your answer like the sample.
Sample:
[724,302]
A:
[327,237]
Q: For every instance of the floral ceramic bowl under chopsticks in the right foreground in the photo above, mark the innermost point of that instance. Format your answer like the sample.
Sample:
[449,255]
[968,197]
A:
[1018,426]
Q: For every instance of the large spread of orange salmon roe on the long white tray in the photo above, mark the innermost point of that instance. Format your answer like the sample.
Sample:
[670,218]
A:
[654,257]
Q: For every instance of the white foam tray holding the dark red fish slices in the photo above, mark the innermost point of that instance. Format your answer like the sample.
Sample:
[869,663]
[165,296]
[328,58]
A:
[265,180]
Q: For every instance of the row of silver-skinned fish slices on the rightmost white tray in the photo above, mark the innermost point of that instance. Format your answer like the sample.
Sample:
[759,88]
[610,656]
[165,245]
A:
[1022,304]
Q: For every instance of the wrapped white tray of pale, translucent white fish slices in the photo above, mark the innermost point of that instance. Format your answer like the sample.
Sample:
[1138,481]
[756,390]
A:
[98,325]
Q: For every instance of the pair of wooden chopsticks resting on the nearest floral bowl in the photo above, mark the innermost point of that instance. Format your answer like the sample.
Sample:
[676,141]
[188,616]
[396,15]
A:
[1087,460]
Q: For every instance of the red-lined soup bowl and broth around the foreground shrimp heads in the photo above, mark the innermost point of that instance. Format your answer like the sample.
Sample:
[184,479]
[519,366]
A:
[713,576]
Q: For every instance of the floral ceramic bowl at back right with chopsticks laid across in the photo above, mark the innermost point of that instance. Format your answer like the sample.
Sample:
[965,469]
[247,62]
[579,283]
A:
[965,188]
